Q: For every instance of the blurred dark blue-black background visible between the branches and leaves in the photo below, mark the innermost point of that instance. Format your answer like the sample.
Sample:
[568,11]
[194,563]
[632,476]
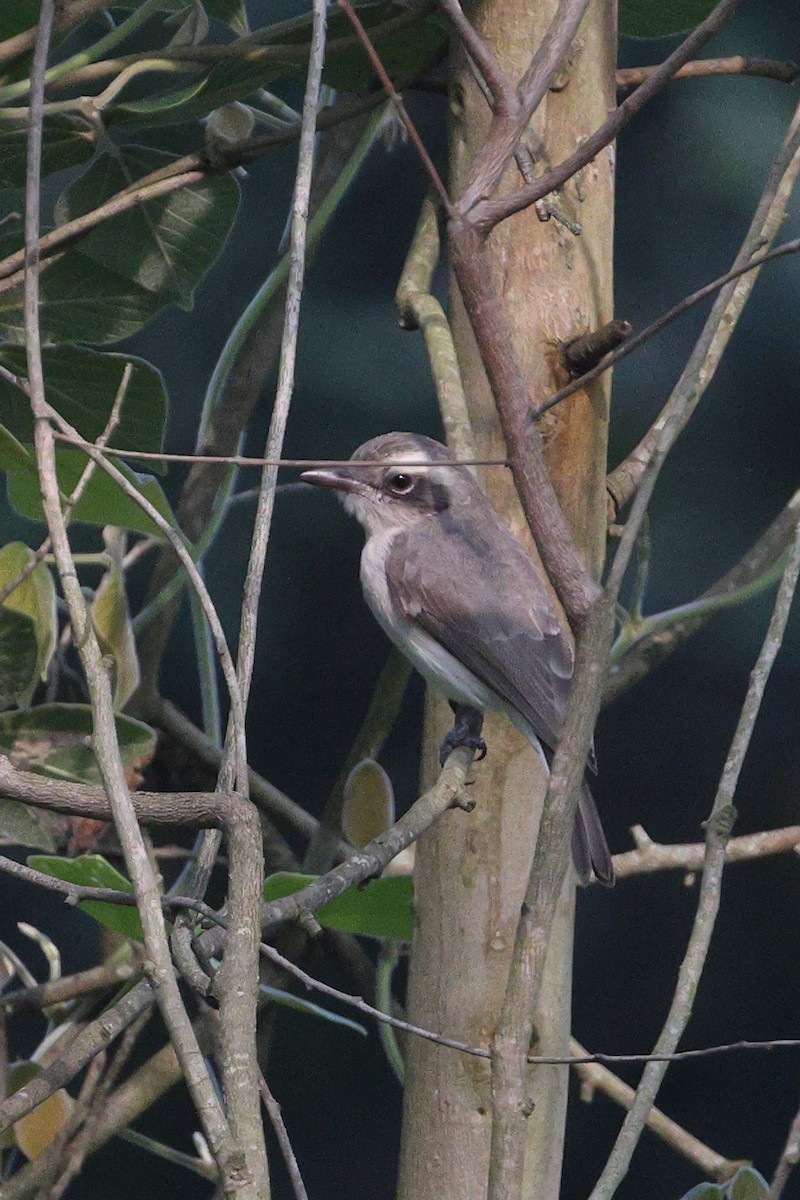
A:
[690,172]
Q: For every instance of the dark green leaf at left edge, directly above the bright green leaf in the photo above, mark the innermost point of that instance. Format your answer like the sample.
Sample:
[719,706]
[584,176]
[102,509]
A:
[82,386]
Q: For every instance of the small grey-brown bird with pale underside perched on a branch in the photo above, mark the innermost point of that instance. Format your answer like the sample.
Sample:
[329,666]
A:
[461,598]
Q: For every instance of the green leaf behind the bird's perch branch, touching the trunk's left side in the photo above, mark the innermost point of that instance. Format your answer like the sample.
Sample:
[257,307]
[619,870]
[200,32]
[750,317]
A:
[381,909]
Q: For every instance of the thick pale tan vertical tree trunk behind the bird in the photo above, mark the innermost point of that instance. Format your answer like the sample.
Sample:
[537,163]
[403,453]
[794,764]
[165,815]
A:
[473,869]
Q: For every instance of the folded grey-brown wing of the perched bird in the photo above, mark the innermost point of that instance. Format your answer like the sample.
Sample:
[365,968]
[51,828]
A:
[472,586]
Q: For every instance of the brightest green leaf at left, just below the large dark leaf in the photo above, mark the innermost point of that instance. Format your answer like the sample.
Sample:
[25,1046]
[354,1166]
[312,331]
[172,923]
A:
[103,503]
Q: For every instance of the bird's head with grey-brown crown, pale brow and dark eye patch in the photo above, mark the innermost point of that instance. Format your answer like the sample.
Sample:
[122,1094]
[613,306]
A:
[395,481]
